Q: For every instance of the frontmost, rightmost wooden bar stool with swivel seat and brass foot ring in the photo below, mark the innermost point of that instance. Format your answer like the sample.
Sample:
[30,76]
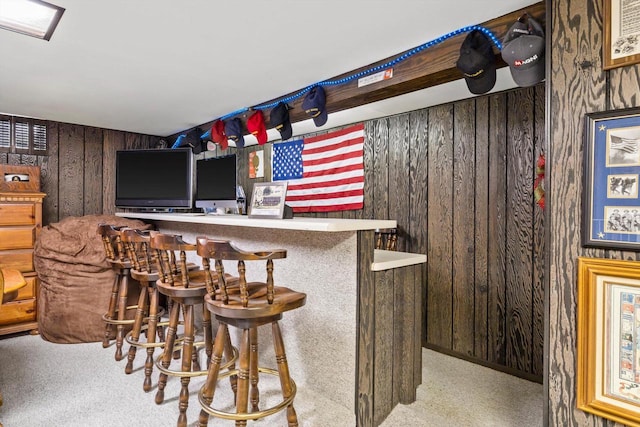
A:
[247,306]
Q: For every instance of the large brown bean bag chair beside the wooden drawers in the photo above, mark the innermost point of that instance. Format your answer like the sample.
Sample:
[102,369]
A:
[75,278]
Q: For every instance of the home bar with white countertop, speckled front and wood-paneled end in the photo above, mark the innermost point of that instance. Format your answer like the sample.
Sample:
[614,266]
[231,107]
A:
[357,341]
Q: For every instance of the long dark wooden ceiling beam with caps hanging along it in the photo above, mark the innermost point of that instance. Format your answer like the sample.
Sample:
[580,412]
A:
[430,67]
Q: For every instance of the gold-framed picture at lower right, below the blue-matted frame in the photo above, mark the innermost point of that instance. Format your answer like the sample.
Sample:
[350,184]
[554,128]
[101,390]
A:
[608,333]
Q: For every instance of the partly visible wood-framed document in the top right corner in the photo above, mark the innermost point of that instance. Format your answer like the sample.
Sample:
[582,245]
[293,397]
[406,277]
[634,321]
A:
[621,44]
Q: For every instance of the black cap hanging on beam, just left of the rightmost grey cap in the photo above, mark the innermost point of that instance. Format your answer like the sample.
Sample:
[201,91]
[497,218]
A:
[477,62]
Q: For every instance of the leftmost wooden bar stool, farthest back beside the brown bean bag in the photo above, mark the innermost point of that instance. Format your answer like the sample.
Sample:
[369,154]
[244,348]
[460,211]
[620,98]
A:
[121,265]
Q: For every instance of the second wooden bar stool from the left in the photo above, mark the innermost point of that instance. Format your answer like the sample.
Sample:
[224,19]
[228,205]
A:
[149,311]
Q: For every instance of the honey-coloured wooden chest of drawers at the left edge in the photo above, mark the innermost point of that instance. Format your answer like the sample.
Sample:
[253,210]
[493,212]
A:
[20,224]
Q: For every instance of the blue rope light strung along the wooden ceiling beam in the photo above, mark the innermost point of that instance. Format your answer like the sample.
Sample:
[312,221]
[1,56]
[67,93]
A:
[360,74]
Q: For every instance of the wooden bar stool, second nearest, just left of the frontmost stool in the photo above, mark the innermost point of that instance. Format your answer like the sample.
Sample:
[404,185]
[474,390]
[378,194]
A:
[186,288]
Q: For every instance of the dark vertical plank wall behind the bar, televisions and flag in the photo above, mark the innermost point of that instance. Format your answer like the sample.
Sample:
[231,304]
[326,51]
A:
[457,177]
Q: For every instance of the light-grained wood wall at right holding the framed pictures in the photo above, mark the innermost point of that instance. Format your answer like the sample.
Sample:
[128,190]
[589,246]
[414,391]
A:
[577,85]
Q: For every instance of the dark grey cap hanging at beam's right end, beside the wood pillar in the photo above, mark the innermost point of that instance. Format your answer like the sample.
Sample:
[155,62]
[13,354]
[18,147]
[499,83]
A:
[523,51]
